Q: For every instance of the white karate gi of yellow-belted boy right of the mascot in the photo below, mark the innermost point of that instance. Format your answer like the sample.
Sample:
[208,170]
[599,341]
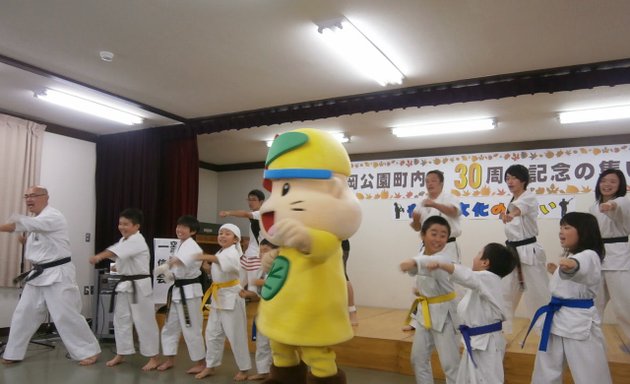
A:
[444,321]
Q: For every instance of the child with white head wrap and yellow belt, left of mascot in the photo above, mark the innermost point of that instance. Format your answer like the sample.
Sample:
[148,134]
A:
[227,313]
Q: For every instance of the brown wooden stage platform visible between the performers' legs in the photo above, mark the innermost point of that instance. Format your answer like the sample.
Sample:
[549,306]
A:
[379,343]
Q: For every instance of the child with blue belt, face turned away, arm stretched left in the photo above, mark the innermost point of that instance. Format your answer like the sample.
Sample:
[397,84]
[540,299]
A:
[482,311]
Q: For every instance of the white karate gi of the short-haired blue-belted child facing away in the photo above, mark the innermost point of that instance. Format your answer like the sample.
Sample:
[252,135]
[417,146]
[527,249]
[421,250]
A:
[483,304]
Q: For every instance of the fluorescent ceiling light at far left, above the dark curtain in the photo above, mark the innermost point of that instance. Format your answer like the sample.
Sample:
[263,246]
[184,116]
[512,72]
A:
[88,106]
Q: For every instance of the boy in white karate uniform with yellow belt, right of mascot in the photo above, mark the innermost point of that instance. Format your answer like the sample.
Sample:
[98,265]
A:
[436,307]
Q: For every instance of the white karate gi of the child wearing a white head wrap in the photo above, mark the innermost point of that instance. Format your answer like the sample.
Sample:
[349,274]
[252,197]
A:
[227,314]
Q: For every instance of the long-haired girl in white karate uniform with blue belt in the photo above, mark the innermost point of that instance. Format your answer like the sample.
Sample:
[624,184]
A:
[572,332]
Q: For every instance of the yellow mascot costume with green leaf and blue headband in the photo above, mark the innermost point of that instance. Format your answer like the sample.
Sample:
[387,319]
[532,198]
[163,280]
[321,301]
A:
[304,309]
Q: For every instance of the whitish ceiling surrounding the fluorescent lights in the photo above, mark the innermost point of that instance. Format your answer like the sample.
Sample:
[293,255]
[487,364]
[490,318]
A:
[189,59]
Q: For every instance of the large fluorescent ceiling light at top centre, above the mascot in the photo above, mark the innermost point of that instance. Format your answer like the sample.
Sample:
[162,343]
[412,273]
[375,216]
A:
[360,51]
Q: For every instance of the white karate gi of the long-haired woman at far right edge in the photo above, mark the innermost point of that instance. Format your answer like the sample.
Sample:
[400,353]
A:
[616,265]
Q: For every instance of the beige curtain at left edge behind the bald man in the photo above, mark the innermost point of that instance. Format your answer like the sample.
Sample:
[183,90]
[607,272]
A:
[21,144]
